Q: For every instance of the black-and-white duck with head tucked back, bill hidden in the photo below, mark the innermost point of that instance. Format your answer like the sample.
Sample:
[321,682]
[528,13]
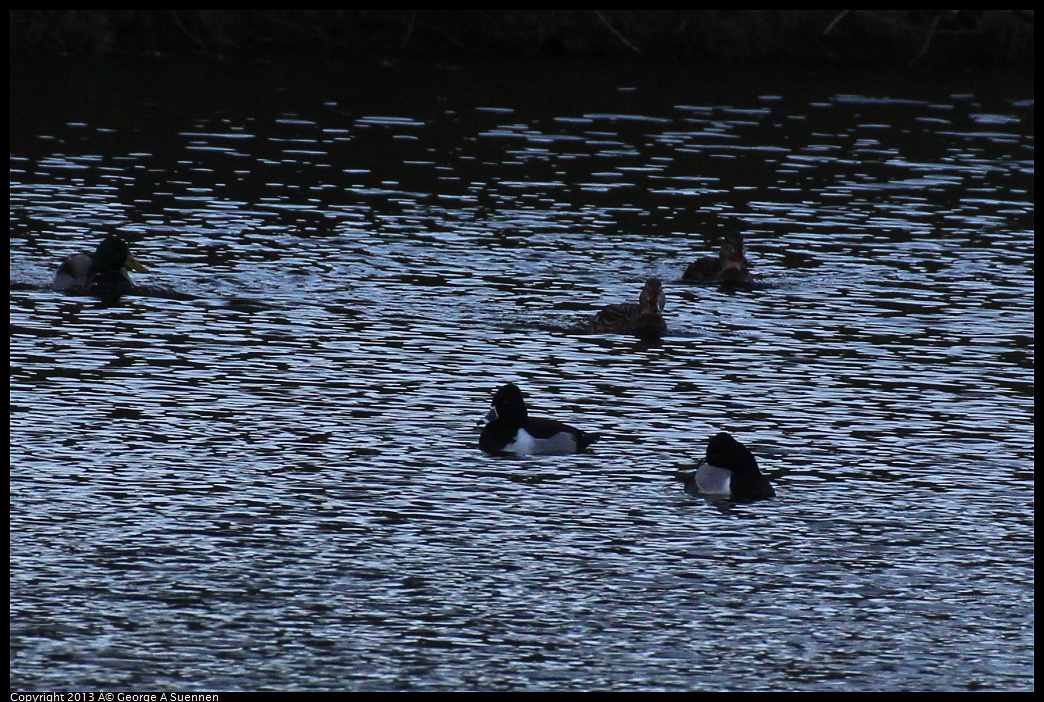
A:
[729,471]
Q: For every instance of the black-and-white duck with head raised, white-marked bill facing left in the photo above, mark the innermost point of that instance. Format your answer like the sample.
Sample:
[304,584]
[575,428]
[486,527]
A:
[511,430]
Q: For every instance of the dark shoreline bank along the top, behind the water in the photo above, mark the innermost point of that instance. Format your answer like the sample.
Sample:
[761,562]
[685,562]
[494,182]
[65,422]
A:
[969,39]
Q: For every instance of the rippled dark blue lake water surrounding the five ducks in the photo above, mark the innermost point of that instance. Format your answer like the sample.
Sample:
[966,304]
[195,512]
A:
[270,479]
